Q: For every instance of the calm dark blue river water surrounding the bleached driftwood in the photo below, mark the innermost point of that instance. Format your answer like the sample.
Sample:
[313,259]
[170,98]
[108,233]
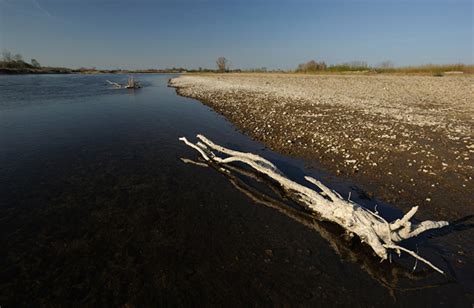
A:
[96,208]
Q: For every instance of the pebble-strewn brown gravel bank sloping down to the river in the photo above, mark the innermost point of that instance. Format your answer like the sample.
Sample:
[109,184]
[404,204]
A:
[406,140]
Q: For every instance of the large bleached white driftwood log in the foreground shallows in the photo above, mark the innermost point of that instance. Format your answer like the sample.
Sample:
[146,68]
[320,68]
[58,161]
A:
[381,235]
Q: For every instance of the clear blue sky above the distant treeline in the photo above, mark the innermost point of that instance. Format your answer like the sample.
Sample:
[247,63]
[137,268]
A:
[275,34]
